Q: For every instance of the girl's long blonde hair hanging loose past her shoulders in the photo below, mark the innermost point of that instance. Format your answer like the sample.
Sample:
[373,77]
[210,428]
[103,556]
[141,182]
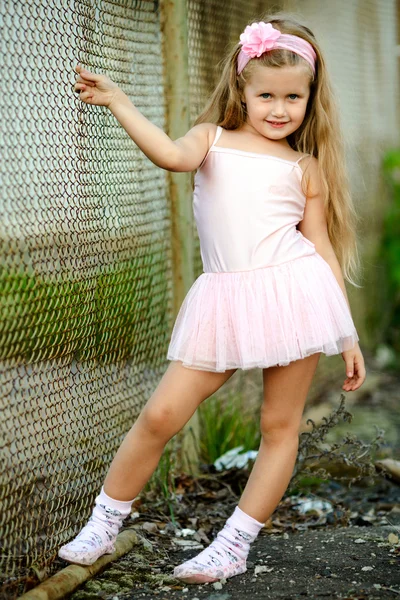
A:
[318,135]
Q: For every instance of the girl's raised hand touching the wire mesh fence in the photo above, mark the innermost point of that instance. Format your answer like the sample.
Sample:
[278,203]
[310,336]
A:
[95,89]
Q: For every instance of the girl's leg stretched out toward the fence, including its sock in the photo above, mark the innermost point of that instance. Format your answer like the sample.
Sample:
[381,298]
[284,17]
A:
[174,401]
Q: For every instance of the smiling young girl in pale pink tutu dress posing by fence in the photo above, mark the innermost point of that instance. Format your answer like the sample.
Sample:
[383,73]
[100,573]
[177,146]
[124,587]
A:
[274,219]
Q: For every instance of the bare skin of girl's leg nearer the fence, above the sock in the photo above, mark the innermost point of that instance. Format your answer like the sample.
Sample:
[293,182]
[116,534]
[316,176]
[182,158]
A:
[175,400]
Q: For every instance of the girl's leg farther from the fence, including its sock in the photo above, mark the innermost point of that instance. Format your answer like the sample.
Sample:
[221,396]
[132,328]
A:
[285,392]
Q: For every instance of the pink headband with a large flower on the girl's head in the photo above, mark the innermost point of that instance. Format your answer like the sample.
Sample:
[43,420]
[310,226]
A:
[261,37]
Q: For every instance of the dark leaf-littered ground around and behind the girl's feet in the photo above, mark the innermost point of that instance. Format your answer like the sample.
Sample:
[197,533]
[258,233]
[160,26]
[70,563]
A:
[346,549]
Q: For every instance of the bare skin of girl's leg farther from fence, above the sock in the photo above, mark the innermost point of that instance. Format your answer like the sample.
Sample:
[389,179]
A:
[285,393]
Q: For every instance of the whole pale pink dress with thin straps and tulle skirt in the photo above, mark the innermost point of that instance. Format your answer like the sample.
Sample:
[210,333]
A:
[266,296]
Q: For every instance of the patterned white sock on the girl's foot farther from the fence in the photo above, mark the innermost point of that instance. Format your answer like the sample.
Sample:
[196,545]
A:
[226,555]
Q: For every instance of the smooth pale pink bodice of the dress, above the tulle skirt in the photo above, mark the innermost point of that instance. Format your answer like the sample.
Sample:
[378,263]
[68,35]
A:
[246,206]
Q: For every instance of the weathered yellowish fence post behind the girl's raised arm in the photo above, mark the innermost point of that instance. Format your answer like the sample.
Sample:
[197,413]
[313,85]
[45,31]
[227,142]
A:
[176,84]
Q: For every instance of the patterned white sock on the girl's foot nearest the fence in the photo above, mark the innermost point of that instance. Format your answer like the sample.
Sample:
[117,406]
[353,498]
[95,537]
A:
[99,534]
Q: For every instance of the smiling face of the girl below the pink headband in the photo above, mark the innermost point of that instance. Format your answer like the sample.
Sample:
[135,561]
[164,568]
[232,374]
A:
[276,100]
